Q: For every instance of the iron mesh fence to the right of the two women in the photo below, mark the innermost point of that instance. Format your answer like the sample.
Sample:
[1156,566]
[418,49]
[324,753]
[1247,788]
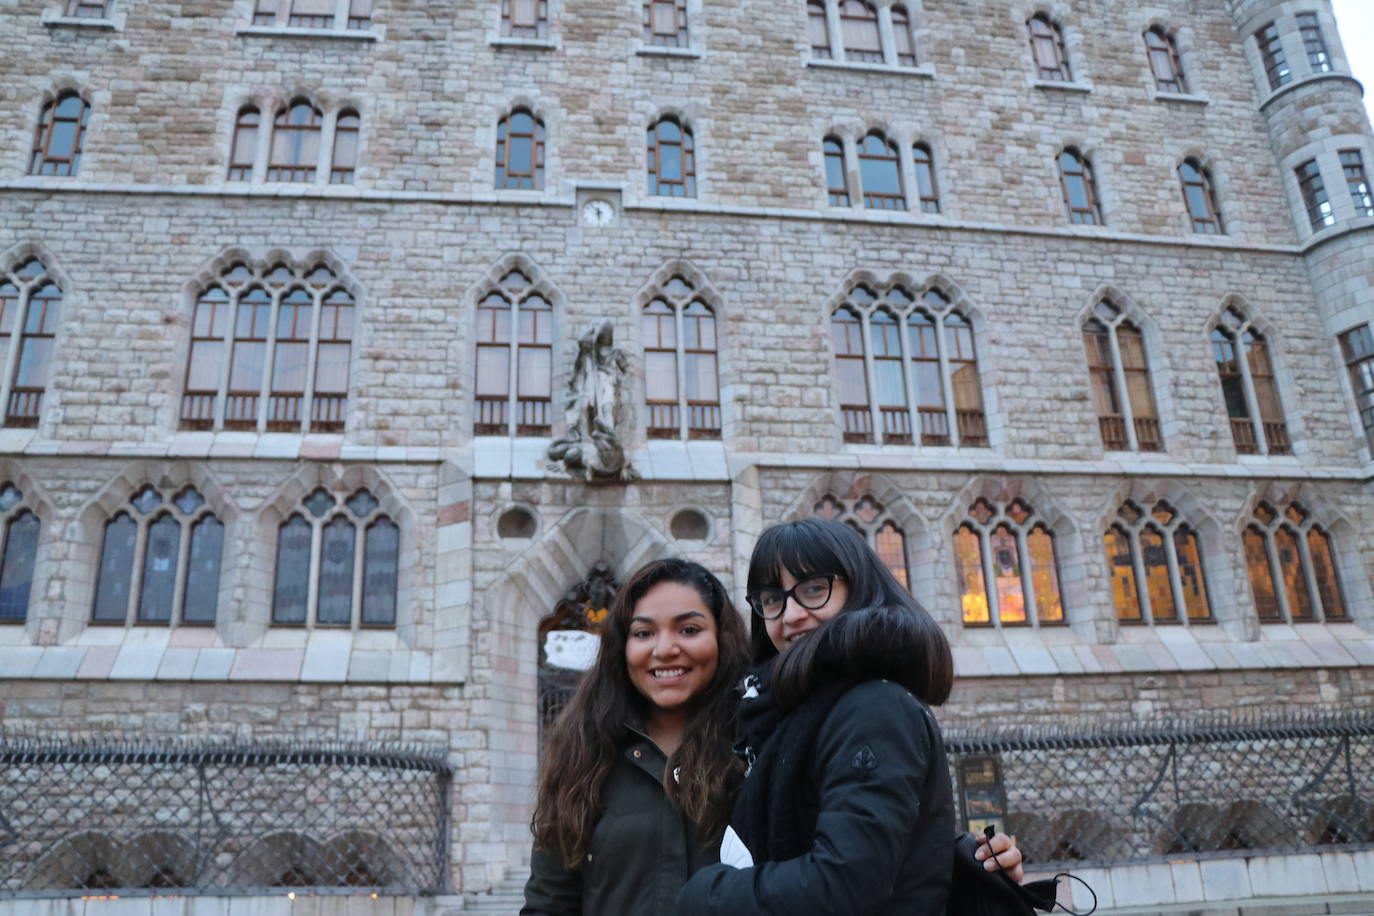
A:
[1182,790]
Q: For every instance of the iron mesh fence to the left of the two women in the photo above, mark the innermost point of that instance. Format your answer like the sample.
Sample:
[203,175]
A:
[221,818]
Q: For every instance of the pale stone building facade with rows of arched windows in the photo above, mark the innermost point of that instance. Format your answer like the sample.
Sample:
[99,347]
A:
[374,157]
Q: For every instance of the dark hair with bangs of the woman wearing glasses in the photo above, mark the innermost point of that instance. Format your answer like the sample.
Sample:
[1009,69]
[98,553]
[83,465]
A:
[881,631]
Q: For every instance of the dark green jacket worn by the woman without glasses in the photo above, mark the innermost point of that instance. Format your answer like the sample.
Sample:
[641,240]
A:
[644,849]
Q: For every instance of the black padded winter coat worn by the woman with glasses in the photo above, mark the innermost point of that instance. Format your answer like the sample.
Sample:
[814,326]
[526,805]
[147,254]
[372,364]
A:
[877,811]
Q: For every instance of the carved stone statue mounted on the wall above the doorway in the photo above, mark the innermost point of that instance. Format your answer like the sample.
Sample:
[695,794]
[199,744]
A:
[592,447]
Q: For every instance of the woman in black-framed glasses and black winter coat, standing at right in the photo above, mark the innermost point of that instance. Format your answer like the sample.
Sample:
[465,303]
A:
[847,805]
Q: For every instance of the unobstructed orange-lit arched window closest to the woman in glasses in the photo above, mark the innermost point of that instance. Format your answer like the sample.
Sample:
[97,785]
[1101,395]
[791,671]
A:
[1011,547]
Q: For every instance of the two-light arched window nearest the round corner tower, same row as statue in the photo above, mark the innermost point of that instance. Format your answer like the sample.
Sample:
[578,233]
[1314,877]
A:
[1248,388]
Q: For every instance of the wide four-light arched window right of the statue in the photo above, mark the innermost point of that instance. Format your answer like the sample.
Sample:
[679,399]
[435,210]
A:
[924,348]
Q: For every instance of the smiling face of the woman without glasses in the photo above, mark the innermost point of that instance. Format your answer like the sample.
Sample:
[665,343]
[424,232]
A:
[671,652]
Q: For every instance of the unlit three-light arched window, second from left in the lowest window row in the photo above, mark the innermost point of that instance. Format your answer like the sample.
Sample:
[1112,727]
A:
[160,561]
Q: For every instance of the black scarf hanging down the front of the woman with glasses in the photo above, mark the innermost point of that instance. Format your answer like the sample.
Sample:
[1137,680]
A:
[777,807]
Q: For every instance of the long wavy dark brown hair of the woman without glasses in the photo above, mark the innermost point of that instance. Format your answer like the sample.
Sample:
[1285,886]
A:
[589,735]
